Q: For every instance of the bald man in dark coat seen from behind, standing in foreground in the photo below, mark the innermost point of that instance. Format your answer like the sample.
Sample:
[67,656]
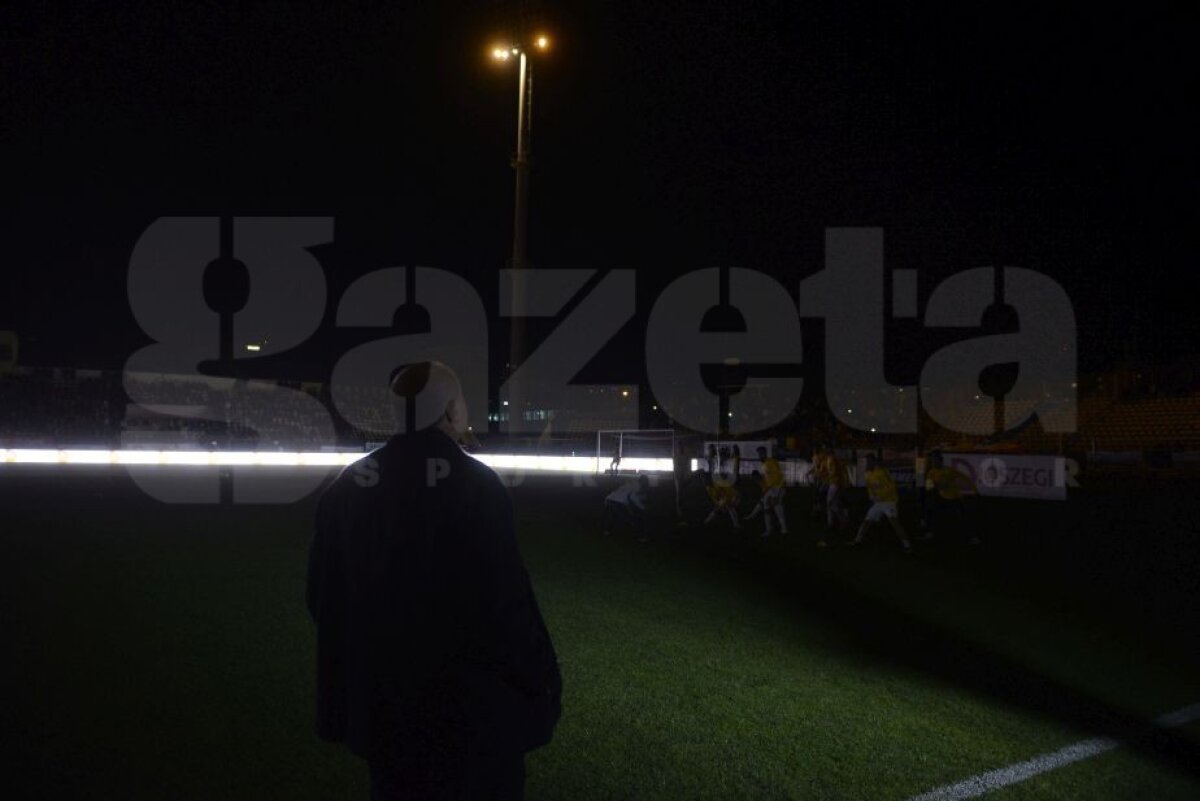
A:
[433,659]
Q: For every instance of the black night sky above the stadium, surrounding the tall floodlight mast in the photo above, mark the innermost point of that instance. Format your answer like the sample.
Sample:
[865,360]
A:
[668,137]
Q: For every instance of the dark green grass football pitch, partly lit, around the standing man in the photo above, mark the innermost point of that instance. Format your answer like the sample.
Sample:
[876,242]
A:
[164,652]
